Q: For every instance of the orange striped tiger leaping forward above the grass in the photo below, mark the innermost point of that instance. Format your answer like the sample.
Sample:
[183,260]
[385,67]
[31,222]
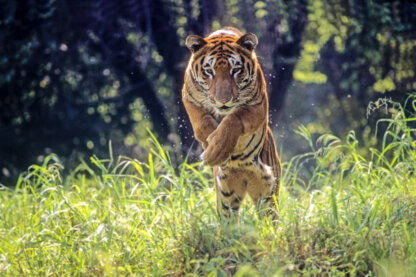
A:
[225,97]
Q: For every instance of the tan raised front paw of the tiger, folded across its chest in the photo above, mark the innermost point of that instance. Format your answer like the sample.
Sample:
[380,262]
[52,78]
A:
[220,147]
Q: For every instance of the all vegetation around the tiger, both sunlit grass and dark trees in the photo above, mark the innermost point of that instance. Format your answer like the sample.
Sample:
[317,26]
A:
[75,75]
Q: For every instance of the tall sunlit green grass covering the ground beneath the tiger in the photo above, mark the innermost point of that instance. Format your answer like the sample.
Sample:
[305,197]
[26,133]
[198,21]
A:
[352,216]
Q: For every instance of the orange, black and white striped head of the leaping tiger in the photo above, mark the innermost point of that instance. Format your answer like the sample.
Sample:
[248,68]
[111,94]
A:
[223,68]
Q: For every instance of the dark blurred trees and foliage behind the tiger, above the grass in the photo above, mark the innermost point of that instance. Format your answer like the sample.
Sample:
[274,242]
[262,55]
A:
[75,74]
